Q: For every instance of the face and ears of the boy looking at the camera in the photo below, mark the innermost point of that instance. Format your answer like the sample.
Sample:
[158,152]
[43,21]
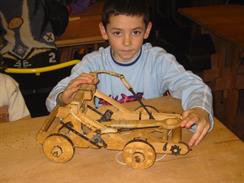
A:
[125,35]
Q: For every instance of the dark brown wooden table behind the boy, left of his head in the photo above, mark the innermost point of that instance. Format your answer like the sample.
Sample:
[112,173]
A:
[82,32]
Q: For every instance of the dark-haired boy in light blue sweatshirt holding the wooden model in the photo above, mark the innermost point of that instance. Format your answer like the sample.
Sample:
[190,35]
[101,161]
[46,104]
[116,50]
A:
[150,70]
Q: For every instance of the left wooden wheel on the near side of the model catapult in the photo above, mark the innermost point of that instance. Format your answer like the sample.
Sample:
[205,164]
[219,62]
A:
[58,148]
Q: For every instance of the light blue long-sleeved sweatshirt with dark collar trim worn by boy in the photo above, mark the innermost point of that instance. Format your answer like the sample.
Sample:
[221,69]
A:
[152,72]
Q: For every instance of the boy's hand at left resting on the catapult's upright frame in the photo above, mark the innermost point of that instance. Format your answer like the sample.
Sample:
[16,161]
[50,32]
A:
[68,94]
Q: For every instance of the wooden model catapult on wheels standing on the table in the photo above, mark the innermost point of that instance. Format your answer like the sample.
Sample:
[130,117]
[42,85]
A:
[140,133]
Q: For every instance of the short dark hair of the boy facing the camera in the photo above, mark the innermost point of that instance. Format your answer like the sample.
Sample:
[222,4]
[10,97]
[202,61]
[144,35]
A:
[125,7]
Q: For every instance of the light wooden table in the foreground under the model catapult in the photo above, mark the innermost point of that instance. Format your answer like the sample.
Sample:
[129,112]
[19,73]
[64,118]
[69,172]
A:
[219,158]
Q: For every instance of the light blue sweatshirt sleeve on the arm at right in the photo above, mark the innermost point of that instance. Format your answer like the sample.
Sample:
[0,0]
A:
[186,86]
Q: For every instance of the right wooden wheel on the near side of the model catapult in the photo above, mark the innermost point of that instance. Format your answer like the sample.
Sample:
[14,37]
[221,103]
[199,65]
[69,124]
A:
[139,155]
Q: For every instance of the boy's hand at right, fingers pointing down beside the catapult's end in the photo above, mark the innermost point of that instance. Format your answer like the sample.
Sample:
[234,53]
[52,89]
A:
[199,117]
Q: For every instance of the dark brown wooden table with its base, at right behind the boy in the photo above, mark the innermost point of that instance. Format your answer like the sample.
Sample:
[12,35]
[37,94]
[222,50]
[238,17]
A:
[226,77]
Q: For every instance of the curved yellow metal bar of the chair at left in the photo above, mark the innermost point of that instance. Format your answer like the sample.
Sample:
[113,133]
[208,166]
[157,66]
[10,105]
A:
[40,70]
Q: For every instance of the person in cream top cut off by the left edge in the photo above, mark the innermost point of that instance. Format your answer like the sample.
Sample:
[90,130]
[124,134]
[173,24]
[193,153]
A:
[12,104]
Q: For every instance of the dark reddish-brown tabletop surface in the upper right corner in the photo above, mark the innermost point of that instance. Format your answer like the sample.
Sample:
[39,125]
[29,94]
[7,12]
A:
[225,21]
